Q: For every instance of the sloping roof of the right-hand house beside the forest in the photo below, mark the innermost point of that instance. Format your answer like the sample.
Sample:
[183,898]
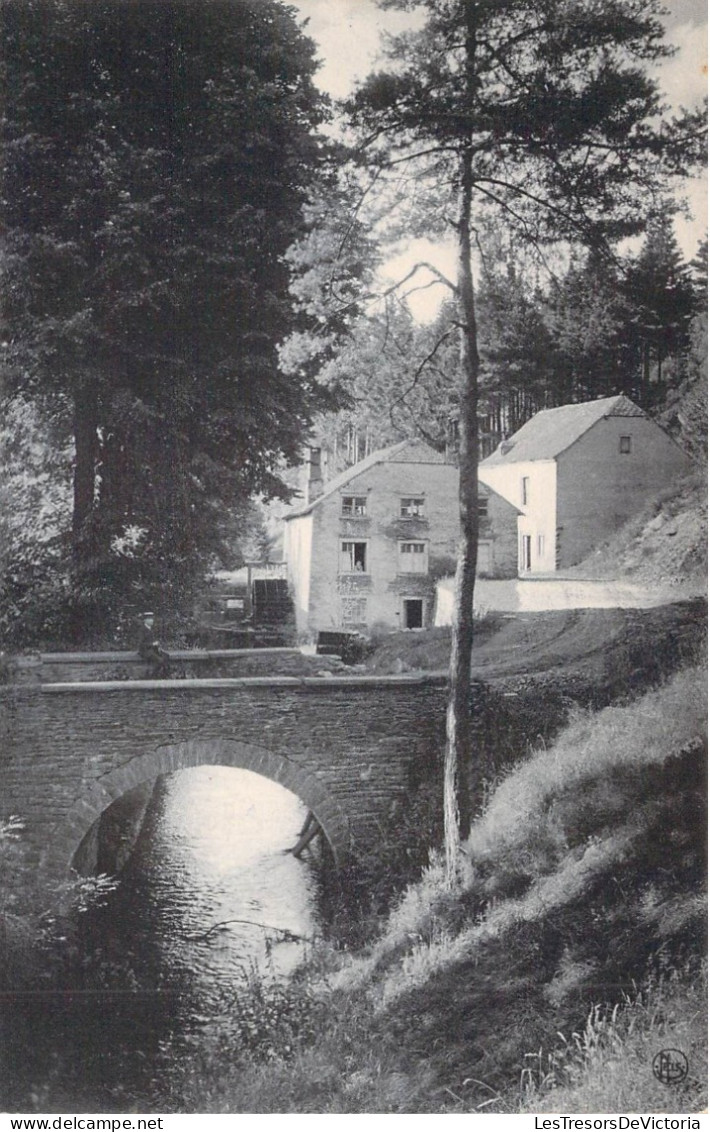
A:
[552,432]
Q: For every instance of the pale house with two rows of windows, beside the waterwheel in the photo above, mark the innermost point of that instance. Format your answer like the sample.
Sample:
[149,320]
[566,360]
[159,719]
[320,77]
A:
[370,545]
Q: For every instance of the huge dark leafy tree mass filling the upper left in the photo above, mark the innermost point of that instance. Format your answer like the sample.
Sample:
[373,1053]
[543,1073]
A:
[157,161]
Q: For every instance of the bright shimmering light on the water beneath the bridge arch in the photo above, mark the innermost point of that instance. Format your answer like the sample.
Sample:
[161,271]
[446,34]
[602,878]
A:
[210,895]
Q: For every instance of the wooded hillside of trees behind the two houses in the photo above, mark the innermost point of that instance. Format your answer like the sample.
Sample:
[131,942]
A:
[545,339]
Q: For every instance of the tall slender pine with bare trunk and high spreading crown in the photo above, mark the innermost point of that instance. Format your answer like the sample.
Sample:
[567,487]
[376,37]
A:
[544,112]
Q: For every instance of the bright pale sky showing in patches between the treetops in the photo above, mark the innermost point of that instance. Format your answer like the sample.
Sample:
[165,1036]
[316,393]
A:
[347,33]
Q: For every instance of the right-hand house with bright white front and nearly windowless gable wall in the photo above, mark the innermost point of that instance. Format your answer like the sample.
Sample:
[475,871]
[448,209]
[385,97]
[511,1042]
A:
[578,474]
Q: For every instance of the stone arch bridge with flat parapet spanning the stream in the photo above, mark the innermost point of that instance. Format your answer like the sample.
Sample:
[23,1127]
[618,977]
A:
[350,748]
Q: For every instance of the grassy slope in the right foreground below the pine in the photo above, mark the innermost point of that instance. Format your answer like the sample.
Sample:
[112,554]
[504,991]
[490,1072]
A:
[585,881]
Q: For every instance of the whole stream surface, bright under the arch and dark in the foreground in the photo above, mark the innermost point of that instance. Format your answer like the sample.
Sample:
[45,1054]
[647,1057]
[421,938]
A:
[210,907]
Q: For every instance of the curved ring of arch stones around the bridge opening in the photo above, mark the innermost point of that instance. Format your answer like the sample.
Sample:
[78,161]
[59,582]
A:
[275,766]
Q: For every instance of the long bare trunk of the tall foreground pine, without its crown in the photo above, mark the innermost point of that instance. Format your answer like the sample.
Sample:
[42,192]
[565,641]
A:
[459,756]
